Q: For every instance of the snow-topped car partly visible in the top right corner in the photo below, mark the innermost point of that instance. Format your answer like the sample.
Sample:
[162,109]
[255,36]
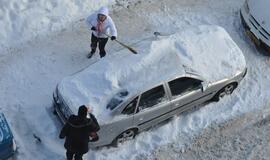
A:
[255,17]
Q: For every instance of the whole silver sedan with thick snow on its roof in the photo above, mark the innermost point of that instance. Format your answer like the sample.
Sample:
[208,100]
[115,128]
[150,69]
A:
[171,74]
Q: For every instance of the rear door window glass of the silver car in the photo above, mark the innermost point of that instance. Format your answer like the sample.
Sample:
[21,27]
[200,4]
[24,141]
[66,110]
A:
[152,97]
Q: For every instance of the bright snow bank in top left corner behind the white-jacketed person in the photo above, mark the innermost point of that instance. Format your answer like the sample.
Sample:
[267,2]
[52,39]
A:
[25,19]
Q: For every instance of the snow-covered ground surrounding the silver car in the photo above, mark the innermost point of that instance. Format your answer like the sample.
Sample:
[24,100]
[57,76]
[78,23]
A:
[31,70]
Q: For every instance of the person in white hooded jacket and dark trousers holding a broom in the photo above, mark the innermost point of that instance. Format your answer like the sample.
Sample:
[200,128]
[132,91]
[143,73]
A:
[103,28]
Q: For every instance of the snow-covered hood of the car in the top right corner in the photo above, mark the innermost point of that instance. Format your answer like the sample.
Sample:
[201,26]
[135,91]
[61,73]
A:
[260,10]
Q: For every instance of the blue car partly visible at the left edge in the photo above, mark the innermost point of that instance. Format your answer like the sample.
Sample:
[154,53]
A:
[7,143]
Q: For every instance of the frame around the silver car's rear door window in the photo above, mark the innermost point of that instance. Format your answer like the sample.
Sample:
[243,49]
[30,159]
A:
[149,108]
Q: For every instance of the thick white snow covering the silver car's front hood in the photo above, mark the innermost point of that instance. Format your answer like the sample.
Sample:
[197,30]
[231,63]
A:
[209,50]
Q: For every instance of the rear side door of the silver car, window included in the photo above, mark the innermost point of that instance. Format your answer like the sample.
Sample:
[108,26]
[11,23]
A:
[153,107]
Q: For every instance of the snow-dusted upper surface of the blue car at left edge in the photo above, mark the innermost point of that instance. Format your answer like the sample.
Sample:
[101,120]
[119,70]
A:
[5,133]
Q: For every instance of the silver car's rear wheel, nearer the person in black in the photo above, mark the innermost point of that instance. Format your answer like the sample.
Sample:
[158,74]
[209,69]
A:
[125,136]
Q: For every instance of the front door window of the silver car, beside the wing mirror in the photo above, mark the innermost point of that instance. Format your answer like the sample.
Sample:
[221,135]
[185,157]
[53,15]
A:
[183,85]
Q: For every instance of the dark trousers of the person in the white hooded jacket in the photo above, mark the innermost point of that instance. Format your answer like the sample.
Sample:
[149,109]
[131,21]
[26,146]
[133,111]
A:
[101,42]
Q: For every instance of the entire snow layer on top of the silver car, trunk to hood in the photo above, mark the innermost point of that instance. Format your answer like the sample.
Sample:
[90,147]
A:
[207,49]
